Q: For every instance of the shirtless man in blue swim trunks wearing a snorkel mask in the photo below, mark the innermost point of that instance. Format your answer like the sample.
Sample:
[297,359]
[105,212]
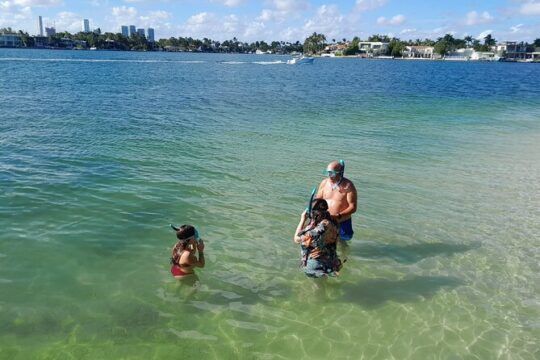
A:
[340,194]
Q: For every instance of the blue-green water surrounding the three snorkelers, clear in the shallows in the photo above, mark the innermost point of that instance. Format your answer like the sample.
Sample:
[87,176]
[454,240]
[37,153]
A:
[100,151]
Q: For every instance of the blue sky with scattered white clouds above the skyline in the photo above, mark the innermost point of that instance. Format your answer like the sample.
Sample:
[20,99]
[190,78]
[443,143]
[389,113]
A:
[285,20]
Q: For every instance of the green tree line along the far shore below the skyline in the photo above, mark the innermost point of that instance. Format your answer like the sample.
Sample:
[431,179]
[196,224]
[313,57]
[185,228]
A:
[313,44]
